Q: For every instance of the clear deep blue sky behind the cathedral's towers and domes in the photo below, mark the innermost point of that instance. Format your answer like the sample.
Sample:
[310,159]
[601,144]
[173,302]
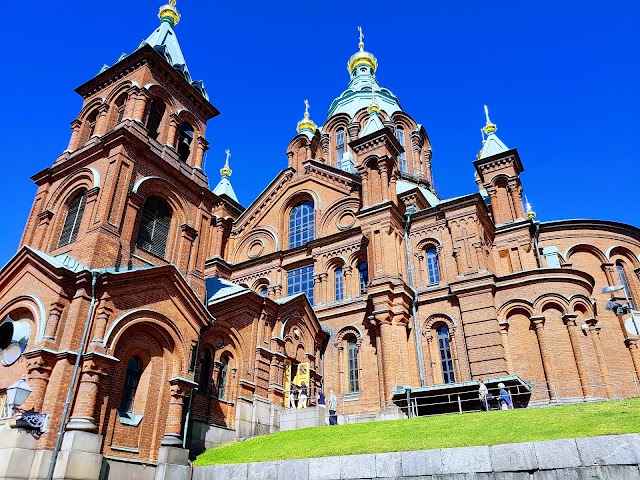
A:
[561,80]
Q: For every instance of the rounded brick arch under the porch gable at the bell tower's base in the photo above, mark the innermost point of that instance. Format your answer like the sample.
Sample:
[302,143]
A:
[166,333]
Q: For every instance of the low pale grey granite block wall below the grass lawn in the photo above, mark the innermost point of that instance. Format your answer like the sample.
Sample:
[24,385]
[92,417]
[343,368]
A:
[605,457]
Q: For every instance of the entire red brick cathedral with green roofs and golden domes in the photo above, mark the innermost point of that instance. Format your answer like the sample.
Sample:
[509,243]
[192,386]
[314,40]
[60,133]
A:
[148,313]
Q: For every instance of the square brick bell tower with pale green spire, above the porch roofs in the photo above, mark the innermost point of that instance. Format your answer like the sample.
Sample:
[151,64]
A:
[129,190]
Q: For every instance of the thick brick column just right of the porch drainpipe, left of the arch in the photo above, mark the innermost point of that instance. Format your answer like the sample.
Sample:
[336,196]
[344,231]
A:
[84,405]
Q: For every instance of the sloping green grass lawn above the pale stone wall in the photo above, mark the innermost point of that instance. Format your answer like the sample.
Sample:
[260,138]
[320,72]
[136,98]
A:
[443,431]
